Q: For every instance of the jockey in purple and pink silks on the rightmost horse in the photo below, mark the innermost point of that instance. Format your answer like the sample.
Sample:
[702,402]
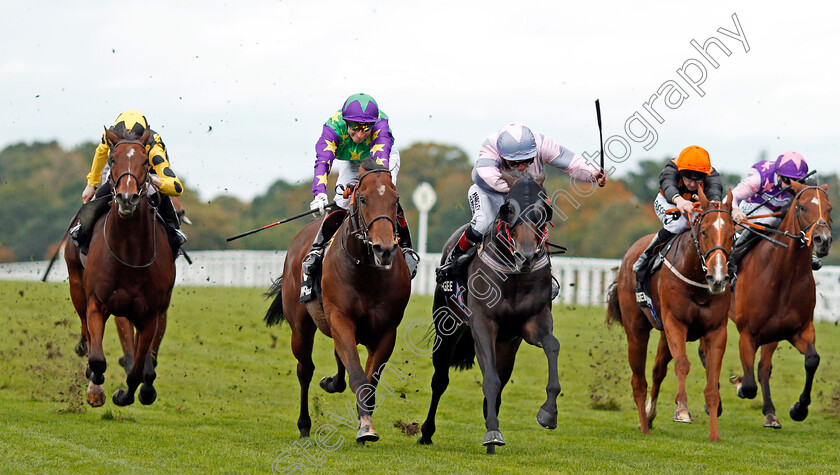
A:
[764,192]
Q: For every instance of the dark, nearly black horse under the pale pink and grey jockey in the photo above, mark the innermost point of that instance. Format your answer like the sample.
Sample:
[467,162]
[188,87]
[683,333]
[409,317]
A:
[508,301]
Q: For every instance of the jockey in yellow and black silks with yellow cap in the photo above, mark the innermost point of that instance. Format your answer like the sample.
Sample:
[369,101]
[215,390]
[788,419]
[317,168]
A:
[130,125]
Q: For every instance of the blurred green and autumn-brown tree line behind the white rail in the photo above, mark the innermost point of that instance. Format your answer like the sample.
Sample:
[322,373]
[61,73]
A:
[40,191]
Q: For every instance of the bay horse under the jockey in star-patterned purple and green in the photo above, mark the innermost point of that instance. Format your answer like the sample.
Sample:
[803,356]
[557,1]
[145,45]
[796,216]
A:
[365,287]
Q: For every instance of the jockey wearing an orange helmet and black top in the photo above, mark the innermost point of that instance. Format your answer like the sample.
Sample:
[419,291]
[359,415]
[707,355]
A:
[678,185]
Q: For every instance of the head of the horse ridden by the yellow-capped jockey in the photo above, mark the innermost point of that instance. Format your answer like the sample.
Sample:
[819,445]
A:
[129,171]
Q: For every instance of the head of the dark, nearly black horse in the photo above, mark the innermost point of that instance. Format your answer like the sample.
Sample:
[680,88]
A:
[525,215]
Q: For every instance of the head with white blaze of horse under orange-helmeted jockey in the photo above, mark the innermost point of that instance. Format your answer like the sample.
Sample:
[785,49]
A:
[715,235]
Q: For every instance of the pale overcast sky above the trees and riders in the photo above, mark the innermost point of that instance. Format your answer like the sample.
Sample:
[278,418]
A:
[239,91]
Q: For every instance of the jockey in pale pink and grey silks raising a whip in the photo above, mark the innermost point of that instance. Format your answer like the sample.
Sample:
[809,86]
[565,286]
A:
[514,149]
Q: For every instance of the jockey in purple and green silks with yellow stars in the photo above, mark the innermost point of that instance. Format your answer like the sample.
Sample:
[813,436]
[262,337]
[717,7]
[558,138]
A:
[358,131]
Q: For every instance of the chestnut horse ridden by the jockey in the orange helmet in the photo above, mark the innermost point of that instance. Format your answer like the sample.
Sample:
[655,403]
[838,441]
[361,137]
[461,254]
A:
[688,309]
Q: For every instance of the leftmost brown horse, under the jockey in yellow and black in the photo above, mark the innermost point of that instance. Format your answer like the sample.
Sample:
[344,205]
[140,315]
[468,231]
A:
[129,272]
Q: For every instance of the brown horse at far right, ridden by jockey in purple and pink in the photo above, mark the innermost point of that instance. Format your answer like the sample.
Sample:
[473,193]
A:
[775,298]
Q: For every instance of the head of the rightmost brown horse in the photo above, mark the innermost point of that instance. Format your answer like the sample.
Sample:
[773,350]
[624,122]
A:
[813,216]
